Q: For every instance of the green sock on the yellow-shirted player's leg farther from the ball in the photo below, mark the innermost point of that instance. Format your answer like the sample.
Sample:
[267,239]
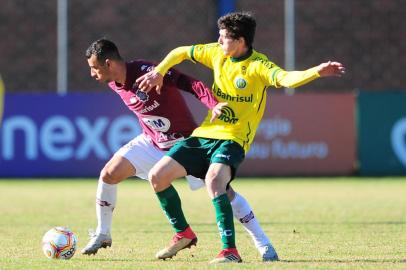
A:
[225,222]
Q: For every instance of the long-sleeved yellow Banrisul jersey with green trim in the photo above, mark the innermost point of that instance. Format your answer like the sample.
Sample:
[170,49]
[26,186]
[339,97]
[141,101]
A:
[242,83]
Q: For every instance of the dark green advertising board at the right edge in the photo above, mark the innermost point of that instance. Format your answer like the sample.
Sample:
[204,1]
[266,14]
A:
[382,133]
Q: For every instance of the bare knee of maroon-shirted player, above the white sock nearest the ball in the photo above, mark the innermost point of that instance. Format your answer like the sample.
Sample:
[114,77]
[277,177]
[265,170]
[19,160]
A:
[117,169]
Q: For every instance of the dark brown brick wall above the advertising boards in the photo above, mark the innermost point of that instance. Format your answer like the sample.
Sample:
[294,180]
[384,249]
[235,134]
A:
[369,37]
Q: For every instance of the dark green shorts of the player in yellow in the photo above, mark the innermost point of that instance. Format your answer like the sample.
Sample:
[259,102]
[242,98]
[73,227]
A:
[196,154]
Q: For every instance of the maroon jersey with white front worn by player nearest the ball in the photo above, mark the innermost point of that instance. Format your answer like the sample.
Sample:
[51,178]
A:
[164,118]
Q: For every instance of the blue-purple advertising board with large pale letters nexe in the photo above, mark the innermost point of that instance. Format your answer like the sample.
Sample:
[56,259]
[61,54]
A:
[46,135]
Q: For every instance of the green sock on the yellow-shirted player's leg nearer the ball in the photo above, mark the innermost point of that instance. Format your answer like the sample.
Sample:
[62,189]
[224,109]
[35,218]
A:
[170,203]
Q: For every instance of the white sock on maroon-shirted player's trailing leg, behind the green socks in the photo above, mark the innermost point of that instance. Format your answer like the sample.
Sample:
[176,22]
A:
[243,213]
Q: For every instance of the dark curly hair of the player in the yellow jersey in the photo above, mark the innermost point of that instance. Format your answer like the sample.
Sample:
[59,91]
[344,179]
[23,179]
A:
[239,24]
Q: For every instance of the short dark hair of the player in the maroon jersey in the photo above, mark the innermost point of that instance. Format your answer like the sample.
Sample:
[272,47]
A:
[103,49]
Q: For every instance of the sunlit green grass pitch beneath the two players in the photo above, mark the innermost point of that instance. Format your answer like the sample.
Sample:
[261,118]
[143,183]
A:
[323,223]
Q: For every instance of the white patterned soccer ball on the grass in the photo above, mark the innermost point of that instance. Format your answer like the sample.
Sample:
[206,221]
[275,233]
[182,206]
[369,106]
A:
[59,243]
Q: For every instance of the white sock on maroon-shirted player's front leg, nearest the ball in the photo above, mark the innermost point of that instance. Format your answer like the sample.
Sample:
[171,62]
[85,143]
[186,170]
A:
[106,197]
